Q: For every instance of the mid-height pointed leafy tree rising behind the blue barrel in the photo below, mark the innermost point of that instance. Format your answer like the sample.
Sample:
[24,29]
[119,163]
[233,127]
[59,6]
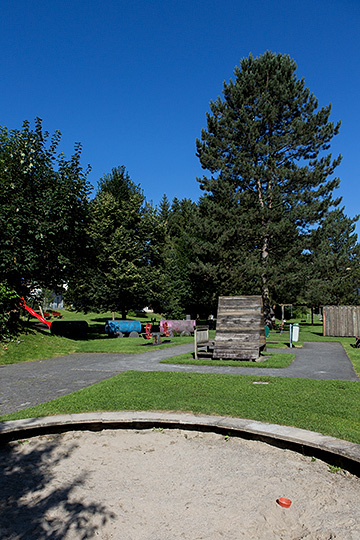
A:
[123,272]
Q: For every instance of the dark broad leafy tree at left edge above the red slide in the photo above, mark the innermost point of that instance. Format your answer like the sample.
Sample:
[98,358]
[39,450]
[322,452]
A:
[43,209]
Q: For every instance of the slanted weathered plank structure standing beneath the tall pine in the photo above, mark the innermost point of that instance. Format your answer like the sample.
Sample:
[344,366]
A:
[240,333]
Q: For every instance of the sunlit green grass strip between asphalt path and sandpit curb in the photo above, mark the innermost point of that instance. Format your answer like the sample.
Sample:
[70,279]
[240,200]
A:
[329,407]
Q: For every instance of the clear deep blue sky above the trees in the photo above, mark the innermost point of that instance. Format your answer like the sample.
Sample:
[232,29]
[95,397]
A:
[132,80]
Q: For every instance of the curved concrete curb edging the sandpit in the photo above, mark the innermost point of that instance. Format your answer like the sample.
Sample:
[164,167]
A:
[334,451]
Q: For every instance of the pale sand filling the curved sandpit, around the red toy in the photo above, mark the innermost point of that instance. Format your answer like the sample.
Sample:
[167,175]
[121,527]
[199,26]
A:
[170,484]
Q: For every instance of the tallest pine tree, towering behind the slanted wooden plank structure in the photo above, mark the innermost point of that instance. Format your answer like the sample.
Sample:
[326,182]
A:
[265,147]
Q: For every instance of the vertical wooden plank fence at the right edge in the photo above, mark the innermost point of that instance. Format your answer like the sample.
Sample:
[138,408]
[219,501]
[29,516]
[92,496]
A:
[341,321]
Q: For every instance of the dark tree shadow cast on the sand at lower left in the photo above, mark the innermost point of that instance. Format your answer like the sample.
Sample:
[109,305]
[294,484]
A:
[34,505]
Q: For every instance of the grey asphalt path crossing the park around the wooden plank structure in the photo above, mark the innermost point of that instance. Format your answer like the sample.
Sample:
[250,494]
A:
[31,383]
